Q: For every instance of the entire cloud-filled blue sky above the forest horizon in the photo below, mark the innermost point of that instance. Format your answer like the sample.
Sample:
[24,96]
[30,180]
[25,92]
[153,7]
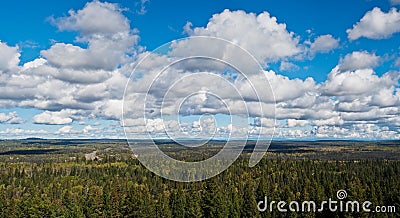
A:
[321,70]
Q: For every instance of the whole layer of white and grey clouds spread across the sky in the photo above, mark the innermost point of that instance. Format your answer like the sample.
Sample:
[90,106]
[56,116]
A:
[71,83]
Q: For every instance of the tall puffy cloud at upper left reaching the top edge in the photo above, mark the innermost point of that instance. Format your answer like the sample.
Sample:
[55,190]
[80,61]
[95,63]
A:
[106,31]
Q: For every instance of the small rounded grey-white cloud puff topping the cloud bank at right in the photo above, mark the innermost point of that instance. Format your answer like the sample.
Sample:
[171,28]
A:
[359,60]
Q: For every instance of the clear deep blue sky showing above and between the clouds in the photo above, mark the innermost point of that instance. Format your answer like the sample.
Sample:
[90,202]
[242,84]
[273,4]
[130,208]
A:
[163,22]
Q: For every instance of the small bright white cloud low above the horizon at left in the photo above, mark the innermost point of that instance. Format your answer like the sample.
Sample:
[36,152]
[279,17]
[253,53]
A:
[53,118]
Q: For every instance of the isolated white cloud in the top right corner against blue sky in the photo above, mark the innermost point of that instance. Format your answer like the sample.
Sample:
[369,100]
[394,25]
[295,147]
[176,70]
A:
[376,25]
